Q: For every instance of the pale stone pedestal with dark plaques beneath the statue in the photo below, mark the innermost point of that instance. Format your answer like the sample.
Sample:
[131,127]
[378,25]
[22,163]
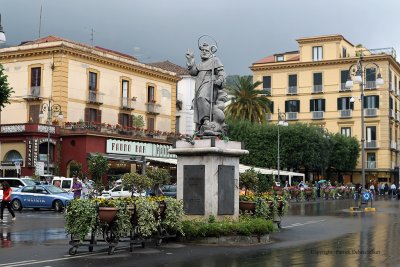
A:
[208,177]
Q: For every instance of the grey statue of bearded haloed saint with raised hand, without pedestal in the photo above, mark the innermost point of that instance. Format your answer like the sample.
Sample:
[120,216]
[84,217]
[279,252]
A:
[210,97]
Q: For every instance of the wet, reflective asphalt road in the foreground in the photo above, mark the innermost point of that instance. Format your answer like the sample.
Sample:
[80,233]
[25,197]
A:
[321,233]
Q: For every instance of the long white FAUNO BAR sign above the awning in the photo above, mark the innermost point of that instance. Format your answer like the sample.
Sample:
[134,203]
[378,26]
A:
[138,149]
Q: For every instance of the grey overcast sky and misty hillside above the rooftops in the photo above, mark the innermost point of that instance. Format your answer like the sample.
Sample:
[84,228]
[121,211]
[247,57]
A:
[245,30]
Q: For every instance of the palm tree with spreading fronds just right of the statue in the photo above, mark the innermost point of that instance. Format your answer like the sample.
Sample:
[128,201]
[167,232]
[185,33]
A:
[246,102]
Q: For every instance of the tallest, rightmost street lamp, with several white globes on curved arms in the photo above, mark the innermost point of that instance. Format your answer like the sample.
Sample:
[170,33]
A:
[358,70]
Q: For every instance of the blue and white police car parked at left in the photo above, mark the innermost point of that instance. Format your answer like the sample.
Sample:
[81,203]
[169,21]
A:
[41,197]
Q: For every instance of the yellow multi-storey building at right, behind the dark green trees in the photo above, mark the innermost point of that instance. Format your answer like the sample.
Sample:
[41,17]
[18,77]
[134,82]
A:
[308,85]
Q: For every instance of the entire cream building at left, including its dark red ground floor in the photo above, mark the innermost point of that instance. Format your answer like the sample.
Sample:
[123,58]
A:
[97,91]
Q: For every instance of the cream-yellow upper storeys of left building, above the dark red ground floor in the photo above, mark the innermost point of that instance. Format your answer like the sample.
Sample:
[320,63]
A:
[91,84]
